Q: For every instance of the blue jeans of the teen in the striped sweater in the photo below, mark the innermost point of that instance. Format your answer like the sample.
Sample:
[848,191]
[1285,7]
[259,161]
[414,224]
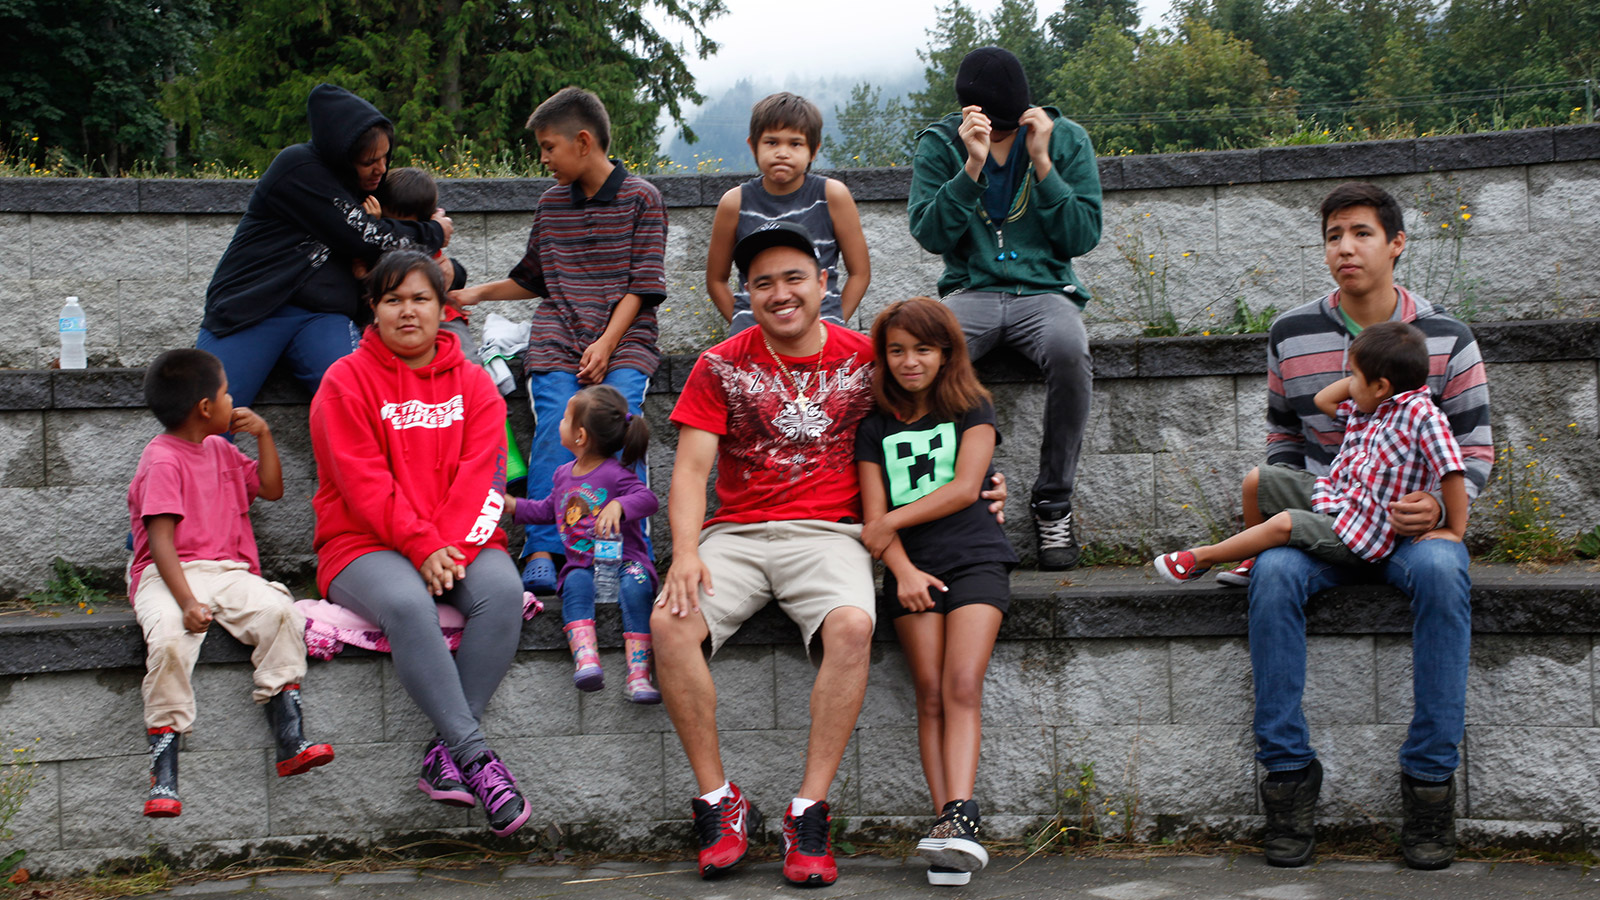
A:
[1434,576]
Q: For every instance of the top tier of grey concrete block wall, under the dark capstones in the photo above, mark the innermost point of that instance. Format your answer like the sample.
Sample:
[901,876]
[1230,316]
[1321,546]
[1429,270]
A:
[1185,233]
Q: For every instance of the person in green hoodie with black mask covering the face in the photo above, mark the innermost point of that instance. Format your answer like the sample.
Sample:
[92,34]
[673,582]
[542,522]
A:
[1009,193]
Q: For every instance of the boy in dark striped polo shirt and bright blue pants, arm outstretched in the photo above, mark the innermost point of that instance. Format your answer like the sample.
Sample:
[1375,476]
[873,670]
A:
[598,262]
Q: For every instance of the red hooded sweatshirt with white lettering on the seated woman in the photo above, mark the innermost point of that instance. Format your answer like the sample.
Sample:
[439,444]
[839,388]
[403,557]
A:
[407,459]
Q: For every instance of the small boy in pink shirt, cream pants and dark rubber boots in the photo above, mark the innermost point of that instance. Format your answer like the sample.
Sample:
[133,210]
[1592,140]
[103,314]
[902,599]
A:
[194,561]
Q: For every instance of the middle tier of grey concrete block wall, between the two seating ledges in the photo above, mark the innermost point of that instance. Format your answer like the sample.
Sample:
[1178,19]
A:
[1174,428]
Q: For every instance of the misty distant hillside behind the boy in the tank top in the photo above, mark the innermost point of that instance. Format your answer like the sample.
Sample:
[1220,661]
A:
[724,123]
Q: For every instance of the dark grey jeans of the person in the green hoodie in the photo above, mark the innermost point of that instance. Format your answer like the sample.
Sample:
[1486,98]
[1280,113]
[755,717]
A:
[1047,329]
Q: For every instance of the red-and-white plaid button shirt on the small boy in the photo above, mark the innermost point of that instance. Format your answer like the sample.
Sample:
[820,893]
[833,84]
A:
[1402,448]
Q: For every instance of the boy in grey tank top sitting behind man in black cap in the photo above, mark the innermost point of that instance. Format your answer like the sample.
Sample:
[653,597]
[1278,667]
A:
[786,132]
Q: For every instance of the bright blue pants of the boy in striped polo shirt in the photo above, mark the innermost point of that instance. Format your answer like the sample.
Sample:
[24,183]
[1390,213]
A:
[550,392]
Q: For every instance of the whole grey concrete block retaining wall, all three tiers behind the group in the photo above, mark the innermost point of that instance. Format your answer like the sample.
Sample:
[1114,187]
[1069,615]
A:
[1150,688]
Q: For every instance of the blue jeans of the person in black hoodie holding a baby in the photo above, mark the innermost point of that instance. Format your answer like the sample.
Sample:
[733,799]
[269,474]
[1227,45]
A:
[311,342]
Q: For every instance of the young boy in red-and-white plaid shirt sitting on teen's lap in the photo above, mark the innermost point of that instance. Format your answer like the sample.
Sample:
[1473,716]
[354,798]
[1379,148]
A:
[1396,443]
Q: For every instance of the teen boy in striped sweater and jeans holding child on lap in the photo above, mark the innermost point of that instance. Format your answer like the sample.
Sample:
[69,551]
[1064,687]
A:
[1306,352]
